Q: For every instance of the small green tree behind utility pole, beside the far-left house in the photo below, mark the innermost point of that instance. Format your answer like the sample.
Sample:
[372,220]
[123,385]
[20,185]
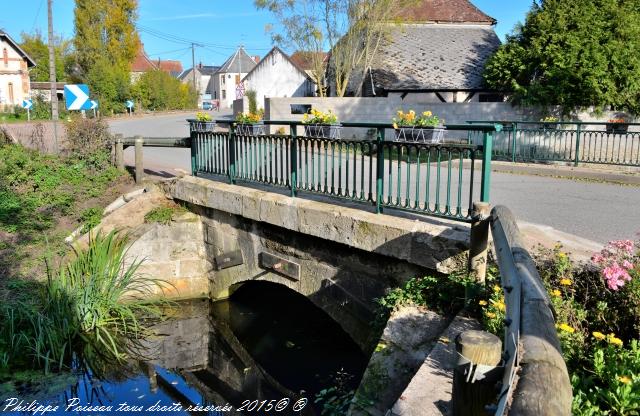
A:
[35,46]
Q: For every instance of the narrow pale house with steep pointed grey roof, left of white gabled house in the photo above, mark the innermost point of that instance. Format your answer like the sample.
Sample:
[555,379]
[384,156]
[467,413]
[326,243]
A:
[226,84]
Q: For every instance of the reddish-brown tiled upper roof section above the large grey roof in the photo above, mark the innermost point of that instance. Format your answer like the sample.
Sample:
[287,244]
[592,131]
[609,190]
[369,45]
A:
[444,11]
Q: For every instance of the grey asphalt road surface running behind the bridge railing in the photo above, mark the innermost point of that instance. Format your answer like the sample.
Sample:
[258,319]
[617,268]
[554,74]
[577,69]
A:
[596,211]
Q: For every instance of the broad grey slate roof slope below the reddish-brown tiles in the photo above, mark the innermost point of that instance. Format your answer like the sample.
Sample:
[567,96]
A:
[434,57]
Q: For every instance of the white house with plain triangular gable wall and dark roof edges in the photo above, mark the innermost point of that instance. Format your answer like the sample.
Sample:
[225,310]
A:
[277,75]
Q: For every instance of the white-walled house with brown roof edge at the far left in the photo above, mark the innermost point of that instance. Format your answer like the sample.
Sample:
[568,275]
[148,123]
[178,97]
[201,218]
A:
[15,85]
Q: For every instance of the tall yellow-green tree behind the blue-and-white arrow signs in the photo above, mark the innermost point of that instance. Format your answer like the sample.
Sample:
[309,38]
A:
[106,44]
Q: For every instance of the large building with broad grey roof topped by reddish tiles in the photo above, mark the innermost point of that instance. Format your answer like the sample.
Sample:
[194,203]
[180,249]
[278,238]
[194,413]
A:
[437,54]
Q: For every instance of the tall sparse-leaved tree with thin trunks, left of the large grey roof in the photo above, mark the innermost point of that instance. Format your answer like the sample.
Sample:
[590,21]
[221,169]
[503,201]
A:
[352,30]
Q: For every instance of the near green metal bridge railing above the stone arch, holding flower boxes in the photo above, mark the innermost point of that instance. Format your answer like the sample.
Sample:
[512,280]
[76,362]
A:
[434,179]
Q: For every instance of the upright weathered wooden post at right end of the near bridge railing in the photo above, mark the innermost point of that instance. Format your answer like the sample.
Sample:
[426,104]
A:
[479,241]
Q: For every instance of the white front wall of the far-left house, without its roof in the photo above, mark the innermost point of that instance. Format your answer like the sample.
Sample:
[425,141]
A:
[14,71]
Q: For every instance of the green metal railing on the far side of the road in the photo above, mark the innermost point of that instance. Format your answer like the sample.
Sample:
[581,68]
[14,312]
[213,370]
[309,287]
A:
[573,142]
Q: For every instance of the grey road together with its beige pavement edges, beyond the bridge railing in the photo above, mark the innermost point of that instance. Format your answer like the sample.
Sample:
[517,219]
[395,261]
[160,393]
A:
[584,206]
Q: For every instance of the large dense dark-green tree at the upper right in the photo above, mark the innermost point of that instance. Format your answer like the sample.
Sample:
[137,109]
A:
[574,54]
